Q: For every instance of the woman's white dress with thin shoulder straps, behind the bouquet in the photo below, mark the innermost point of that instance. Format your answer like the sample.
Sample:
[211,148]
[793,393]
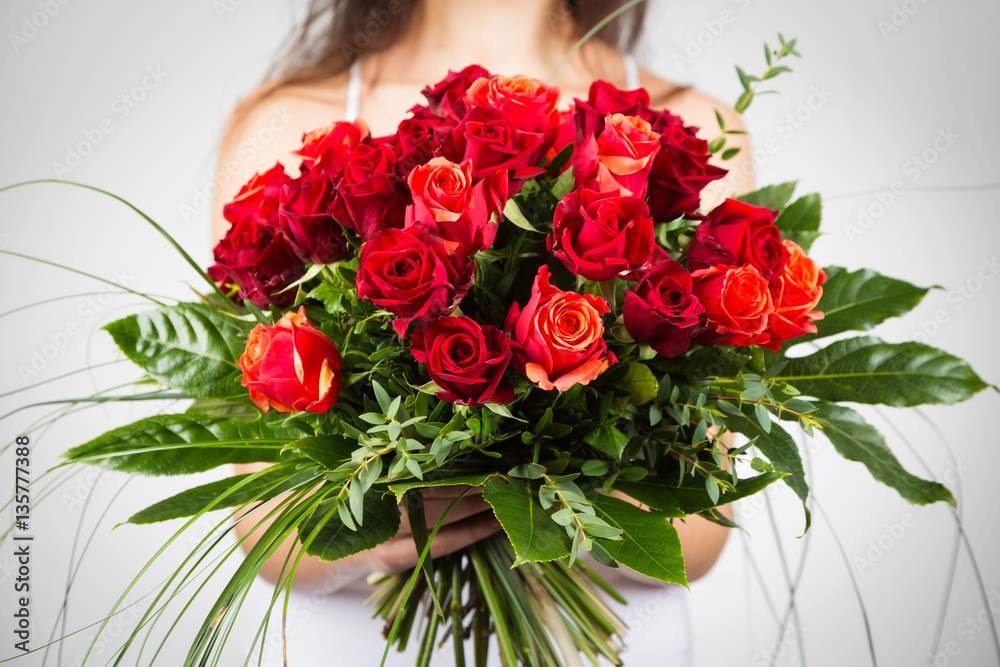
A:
[335,627]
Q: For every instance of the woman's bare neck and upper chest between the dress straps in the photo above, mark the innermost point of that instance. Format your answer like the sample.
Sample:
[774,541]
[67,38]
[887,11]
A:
[504,36]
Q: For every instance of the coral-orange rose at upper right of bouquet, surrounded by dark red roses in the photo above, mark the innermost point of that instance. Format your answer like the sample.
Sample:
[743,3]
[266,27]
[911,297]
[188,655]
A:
[620,157]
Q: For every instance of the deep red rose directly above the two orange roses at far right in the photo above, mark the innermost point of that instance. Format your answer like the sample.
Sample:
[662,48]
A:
[739,233]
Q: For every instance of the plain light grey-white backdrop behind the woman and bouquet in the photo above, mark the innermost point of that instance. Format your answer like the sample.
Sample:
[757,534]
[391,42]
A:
[893,103]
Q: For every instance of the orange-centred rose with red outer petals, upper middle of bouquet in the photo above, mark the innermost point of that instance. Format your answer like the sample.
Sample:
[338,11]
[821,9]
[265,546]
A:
[448,201]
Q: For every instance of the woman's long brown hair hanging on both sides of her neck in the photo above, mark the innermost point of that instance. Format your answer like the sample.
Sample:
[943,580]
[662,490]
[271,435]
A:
[335,32]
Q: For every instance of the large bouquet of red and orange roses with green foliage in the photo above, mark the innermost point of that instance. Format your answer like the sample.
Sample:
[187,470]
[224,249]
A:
[506,295]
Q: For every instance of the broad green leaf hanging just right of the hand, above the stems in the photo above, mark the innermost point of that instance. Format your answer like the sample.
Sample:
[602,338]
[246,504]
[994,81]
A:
[534,536]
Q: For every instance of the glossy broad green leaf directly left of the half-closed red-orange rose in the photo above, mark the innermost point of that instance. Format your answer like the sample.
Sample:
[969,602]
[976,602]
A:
[190,347]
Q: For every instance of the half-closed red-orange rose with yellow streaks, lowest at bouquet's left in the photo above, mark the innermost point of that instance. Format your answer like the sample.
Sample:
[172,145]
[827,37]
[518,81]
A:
[291,366]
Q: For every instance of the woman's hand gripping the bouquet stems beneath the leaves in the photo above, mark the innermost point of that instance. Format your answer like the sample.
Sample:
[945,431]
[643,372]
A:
[470,520]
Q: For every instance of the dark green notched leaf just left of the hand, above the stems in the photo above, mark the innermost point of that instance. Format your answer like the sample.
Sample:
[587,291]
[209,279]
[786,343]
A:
[335,540]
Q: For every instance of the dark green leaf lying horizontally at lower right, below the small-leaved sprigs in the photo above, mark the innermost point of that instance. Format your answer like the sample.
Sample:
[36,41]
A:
[663,494]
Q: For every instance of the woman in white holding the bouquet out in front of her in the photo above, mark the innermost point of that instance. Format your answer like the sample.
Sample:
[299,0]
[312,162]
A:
[371,61]
